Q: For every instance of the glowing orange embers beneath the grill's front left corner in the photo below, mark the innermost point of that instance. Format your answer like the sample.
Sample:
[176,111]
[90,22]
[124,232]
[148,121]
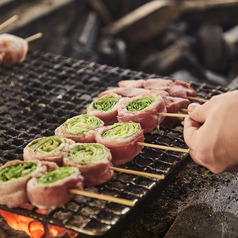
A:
[33,228]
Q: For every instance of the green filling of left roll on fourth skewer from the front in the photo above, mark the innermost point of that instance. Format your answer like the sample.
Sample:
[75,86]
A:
[105,103]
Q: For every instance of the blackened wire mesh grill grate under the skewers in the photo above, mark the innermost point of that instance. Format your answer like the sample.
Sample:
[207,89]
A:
[43,92]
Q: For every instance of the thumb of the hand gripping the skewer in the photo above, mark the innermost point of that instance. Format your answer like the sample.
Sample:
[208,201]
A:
[197,112]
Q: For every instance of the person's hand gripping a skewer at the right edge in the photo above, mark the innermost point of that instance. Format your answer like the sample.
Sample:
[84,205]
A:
[211,133]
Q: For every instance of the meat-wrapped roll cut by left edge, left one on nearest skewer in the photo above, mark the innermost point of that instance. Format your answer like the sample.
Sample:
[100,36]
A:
[14,176]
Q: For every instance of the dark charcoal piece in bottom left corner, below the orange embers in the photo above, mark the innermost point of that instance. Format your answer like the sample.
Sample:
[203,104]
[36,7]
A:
[6,231]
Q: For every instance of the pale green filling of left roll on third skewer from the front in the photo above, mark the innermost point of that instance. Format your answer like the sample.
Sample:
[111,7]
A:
[82,123]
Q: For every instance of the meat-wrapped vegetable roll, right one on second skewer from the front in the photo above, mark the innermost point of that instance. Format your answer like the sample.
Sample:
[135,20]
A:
[93,160]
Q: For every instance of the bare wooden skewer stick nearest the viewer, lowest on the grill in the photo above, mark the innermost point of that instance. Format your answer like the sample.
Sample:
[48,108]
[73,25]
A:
[103,197]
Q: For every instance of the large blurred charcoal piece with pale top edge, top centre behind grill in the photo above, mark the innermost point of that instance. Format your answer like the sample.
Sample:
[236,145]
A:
[144,23]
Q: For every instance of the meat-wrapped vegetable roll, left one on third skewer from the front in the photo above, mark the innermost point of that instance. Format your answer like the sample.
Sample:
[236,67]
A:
[80,128]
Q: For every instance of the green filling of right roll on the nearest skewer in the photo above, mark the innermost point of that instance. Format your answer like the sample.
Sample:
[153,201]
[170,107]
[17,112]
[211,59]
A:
[55,175]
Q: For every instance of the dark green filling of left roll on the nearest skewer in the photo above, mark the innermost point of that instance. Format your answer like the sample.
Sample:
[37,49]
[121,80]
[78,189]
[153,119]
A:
[17,170]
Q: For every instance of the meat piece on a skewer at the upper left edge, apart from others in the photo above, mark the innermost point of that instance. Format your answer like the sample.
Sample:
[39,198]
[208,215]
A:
[13,49]
